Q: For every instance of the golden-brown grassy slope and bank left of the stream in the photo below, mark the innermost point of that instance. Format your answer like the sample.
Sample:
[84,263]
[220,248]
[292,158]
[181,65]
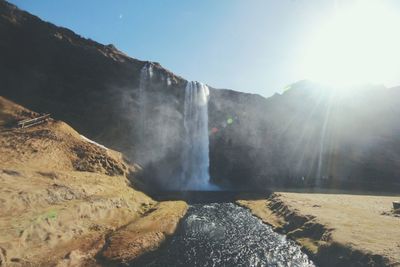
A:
[63,198]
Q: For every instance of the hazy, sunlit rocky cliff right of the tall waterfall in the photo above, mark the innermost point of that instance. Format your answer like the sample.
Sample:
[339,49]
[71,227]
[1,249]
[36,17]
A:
[308,136]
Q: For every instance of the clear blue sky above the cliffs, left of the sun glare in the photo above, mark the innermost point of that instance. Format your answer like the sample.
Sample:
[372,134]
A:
[255,46]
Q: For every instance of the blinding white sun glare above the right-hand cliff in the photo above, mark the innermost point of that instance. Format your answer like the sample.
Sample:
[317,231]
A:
[358,44]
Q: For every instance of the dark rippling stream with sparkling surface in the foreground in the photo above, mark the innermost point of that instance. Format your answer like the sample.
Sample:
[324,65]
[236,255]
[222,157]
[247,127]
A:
[224,234]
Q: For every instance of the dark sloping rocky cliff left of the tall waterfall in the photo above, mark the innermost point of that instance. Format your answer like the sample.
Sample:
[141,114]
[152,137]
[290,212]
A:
[93,87]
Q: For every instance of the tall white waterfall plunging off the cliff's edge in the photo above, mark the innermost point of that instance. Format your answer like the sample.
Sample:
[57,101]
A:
[195,160]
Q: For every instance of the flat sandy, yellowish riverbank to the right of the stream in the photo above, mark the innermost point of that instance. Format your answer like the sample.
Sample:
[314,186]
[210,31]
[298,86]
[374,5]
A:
[361,228]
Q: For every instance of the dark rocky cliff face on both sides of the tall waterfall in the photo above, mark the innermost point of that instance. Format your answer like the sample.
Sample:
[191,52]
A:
[306,136]
